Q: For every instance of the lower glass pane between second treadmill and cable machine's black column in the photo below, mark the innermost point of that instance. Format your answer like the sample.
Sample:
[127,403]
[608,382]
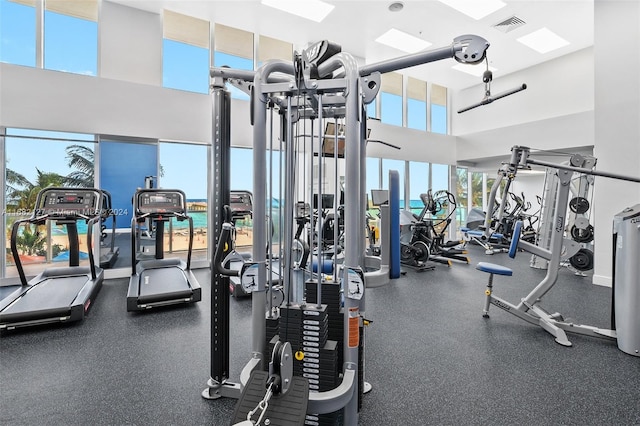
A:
[184,167]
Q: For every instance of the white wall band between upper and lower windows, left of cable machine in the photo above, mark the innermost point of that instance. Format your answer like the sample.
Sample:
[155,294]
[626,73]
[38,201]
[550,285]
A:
[52,100]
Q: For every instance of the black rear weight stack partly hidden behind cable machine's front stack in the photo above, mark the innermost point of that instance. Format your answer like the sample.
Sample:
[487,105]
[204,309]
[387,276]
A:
[332,297]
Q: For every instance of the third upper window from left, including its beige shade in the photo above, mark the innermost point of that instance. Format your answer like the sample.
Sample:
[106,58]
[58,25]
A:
[185,53]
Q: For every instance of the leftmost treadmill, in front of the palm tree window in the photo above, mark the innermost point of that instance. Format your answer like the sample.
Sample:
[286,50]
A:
[61,294]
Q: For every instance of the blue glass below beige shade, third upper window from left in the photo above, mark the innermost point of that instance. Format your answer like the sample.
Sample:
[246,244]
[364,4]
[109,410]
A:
[185,67]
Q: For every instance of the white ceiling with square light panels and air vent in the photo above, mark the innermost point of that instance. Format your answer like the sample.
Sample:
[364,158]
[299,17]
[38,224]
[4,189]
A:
[356,24]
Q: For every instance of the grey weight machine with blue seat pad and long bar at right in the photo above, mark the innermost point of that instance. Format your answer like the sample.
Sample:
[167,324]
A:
[626,285]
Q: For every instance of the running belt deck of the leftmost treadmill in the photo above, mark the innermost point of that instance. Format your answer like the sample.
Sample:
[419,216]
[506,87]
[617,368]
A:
[47,298]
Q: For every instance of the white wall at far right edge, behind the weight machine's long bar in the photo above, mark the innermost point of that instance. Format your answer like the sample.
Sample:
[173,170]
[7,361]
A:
[617,122]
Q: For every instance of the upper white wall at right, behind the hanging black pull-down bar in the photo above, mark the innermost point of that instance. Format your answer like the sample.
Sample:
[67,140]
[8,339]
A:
[555,112]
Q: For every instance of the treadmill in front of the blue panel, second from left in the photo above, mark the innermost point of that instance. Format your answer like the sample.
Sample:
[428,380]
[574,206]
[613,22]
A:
[158,281]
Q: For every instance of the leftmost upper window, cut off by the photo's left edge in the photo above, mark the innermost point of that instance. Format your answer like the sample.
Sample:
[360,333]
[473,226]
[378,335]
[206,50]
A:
[18,32]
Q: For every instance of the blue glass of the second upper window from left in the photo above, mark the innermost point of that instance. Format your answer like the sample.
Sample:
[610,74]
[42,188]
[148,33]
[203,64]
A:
[70,44]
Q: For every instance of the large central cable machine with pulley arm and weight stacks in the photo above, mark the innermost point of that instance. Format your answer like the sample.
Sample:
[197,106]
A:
[322,83]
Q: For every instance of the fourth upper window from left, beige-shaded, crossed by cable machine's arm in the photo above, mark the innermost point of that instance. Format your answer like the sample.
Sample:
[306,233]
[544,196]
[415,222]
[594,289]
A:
[233,48]
